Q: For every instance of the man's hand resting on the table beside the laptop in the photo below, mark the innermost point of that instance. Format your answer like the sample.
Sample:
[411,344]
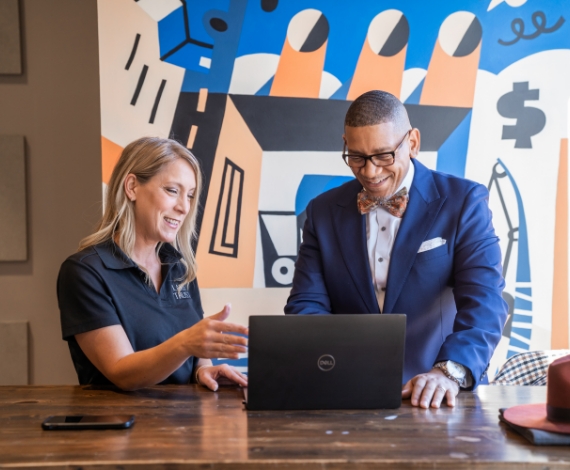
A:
[430,388]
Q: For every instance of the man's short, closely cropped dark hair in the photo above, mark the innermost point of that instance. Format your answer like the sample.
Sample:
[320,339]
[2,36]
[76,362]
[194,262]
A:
[375,107]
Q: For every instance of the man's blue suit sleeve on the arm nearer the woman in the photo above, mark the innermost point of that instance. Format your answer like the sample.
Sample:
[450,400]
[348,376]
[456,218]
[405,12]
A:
[309,292]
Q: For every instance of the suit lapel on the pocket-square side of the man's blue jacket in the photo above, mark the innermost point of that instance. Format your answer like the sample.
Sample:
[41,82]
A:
[424,205]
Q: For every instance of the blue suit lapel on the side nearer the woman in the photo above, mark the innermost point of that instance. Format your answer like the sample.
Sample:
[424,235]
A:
[350,230]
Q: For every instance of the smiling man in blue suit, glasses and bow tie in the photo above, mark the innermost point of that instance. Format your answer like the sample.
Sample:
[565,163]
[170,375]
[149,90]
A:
[404,239]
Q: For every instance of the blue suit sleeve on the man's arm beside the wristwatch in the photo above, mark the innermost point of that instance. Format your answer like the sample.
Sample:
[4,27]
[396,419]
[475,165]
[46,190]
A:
[477,288]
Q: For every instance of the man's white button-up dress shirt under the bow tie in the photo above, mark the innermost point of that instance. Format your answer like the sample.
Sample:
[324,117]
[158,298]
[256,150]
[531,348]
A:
[381,230]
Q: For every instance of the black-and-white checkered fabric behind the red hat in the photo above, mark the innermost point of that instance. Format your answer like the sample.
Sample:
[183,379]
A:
[528,368]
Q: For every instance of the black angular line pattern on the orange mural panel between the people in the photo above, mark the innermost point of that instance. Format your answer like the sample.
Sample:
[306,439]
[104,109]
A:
[228,247]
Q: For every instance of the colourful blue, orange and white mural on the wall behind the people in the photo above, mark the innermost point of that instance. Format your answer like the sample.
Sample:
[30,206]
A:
[258,91]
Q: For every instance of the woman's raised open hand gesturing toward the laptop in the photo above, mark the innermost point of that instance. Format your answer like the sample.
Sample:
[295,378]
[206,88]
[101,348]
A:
[212,338]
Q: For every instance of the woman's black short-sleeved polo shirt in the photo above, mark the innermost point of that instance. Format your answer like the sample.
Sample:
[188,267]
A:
[101,286]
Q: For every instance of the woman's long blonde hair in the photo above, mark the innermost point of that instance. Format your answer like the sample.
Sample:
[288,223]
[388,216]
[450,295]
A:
[145,158]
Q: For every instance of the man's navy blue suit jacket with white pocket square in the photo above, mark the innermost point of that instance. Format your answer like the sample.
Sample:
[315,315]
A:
[451,294]
